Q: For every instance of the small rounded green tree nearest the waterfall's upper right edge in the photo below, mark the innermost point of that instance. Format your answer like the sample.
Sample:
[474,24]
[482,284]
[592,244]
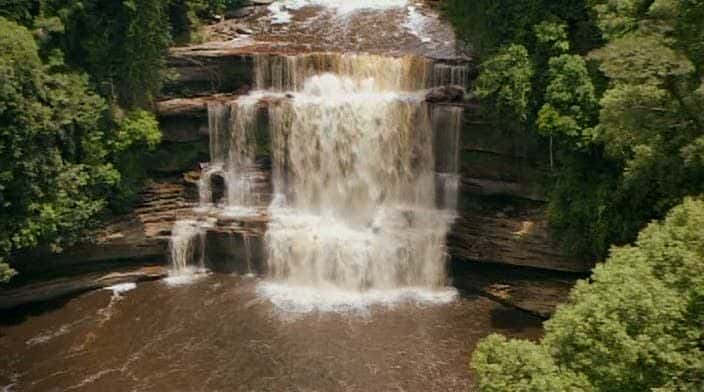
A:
[506,80]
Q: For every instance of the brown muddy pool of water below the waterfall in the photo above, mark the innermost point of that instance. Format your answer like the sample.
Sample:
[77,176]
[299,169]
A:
[218,334]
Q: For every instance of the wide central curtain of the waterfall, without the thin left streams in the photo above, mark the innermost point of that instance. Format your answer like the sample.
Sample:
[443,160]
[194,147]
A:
[355,217]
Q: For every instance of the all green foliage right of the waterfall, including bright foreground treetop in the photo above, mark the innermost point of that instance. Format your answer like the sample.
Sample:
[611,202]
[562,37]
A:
[617,90]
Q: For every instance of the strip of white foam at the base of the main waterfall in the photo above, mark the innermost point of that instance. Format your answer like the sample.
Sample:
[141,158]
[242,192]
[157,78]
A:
[302,299]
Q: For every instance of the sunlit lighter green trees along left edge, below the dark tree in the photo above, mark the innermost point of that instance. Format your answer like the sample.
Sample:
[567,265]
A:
[60,148]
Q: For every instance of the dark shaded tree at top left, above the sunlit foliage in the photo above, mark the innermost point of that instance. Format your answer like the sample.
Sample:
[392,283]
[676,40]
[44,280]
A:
[121,44]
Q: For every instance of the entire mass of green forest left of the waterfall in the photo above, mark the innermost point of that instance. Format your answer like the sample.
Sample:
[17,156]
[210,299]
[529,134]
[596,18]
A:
[78,79]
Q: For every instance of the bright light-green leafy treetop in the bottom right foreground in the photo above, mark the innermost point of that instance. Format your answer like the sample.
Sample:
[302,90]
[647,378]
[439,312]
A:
[637,325]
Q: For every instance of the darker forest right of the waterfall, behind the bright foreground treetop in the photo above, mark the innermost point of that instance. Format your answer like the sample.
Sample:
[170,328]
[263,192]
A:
[616,87]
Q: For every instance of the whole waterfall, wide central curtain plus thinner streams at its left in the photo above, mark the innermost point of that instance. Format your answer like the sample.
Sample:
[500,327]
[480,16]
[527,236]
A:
[364,177]
